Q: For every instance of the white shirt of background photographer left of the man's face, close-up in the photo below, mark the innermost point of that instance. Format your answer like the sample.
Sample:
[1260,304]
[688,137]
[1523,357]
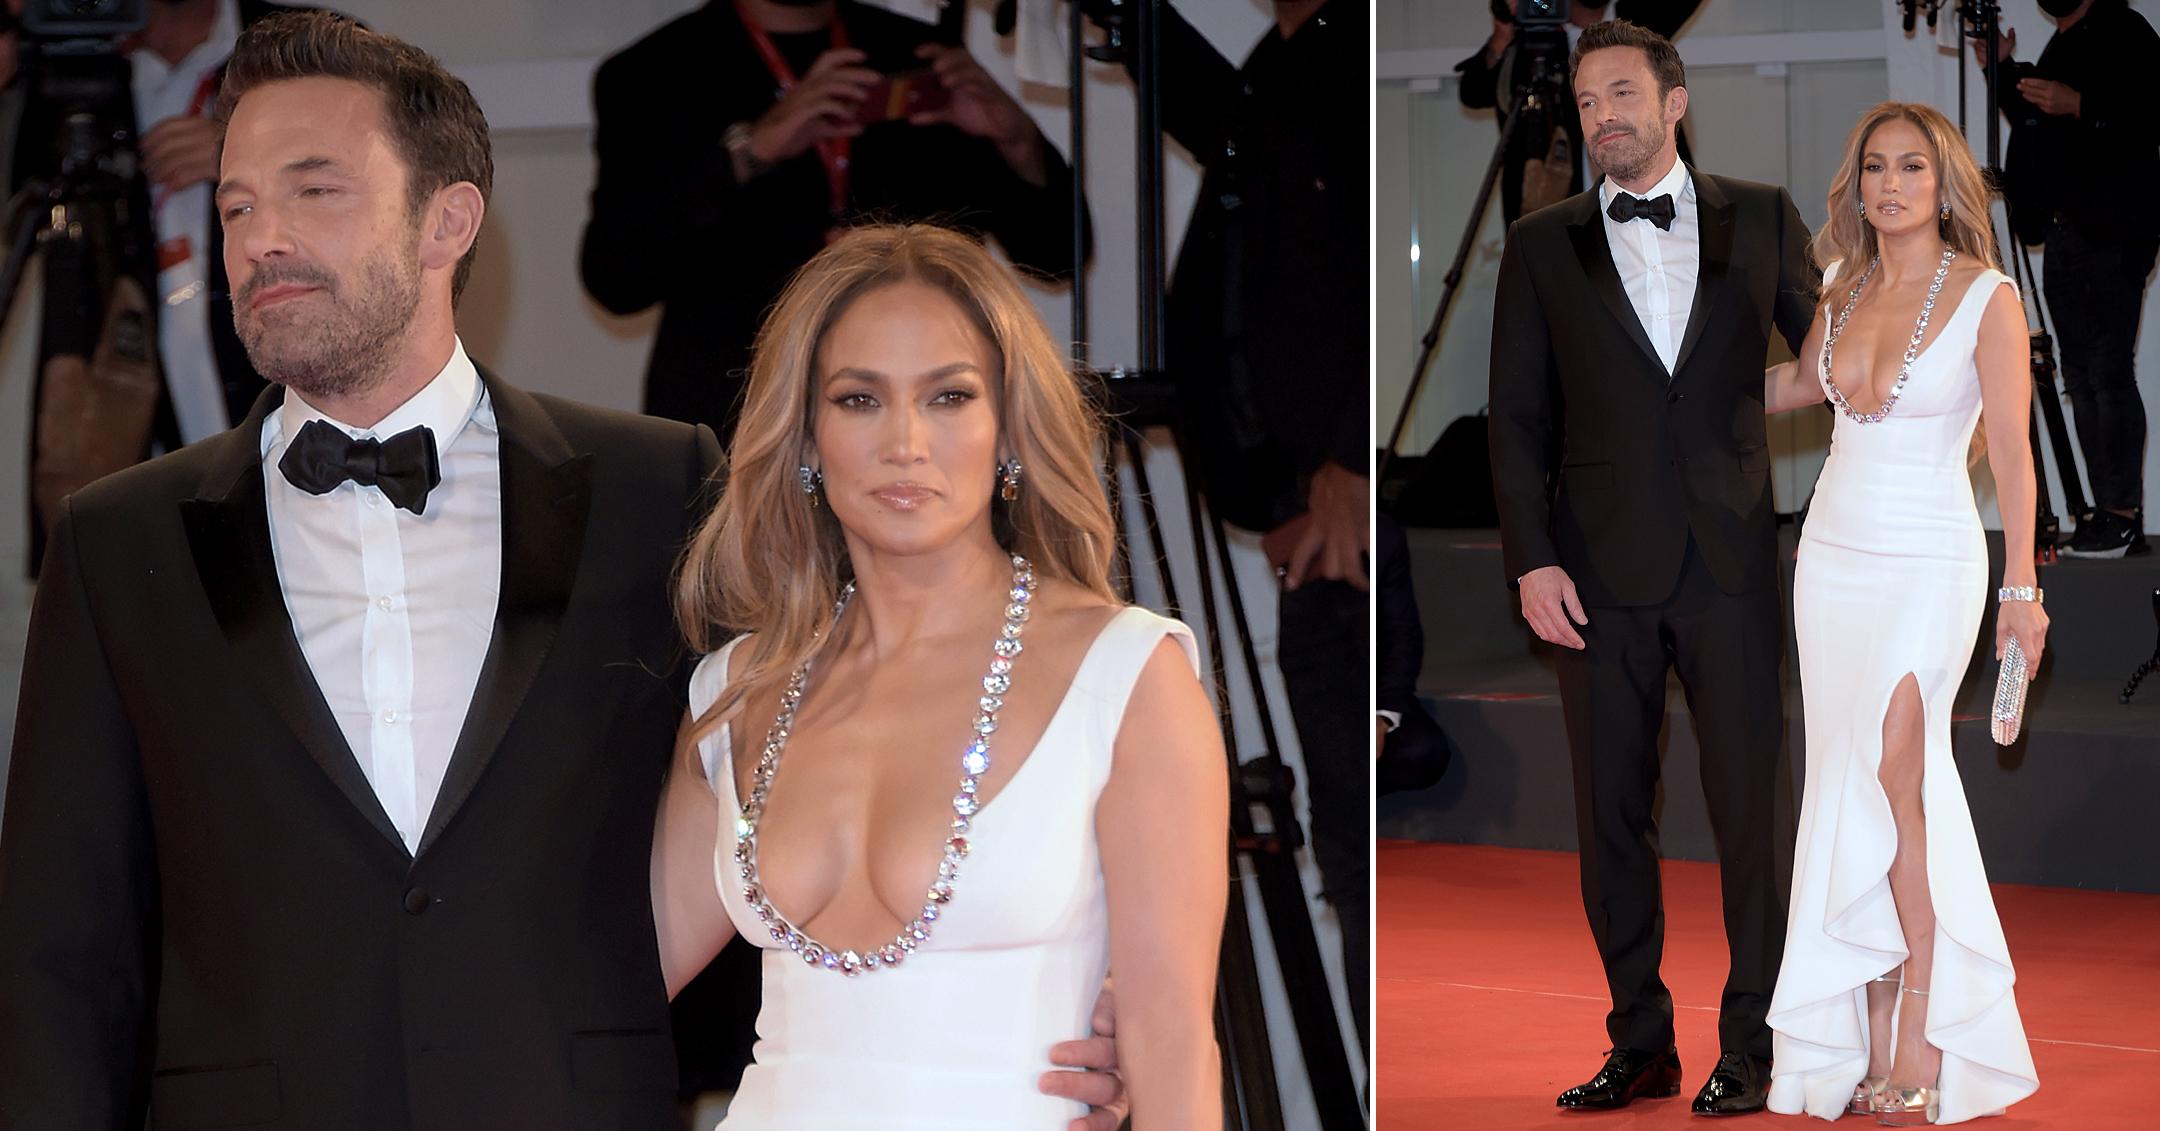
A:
[183,219]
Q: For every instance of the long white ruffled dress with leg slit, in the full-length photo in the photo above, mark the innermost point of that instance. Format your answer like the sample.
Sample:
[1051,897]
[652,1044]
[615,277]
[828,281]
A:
[1891,582]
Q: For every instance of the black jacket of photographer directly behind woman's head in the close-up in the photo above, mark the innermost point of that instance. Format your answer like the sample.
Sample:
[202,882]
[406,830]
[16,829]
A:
[673,228]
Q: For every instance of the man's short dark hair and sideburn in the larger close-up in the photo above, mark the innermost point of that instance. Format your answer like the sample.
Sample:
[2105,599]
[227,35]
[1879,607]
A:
[433,118]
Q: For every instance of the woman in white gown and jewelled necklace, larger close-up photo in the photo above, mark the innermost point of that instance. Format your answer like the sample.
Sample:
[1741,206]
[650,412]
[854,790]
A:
[947,780]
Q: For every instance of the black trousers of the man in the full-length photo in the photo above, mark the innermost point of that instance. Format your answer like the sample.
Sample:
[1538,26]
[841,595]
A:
[1727,653]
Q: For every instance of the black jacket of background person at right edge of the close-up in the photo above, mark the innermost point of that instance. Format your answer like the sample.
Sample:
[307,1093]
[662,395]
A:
[1267,318]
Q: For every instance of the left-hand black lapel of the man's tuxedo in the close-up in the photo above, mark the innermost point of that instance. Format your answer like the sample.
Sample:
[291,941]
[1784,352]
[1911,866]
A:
[230,539]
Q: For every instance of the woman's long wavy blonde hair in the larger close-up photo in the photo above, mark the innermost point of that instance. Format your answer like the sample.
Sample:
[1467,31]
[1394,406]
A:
[770,562]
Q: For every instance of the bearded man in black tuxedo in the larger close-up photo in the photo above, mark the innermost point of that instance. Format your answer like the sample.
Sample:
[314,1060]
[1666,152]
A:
[342,733]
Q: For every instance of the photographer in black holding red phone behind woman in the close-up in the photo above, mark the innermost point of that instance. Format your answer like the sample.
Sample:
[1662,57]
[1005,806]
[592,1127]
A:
[738,139]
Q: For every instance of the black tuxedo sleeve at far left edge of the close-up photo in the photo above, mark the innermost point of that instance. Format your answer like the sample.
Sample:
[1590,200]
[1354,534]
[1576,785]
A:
[77,875]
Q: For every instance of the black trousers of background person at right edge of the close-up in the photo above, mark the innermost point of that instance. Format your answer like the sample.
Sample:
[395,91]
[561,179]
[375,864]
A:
[1325,659]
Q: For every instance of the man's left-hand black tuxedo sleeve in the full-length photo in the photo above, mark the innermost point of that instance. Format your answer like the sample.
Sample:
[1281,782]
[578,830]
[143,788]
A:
[1526,409]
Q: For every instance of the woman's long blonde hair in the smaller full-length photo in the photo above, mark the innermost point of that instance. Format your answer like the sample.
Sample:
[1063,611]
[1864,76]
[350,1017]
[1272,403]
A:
[1848,239]
